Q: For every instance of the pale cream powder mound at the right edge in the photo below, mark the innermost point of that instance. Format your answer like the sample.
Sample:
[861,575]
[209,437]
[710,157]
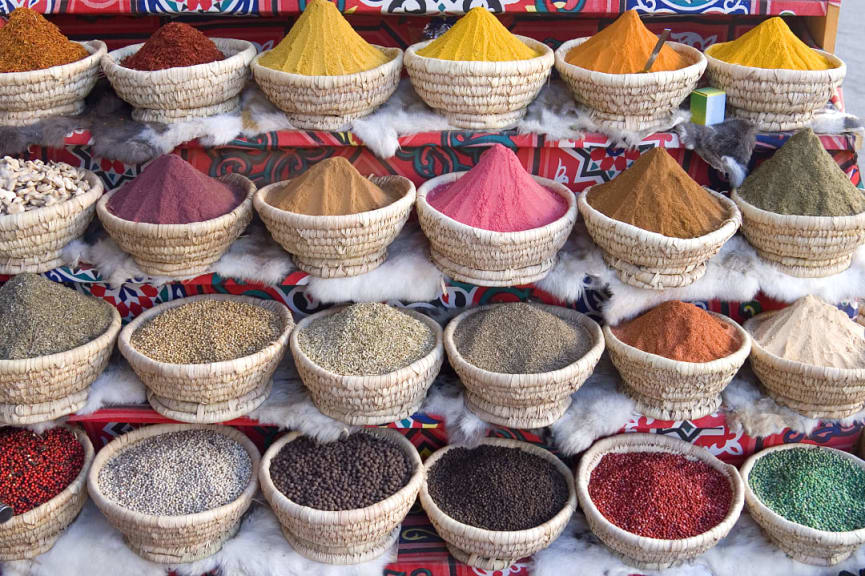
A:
[811,331]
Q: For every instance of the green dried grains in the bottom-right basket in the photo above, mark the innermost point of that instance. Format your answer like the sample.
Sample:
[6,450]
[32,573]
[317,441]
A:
[816,488]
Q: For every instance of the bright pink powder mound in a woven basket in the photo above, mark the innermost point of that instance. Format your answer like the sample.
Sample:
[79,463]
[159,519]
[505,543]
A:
[499,195]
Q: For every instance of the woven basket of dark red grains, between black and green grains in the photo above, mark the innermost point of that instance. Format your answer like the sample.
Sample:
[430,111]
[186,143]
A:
[640,551]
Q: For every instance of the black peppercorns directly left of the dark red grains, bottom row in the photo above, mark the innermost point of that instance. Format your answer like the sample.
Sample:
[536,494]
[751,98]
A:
[497,488]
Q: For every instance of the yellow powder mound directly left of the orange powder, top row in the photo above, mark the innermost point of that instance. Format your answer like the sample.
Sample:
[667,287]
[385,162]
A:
[478,36]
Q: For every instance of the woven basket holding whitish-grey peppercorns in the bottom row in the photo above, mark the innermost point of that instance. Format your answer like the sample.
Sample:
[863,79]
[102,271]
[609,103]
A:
[174,539]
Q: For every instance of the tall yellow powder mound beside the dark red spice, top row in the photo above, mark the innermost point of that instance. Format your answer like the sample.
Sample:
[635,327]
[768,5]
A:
[323,43]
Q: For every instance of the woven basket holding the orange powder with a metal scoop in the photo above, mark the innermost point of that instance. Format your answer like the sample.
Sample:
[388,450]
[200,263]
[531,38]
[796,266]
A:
[632,101]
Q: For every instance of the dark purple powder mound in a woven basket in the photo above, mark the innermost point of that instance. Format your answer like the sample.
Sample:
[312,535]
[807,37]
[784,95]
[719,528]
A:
[171,191]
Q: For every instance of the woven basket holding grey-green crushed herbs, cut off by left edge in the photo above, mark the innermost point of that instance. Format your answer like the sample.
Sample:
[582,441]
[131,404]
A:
[47,387]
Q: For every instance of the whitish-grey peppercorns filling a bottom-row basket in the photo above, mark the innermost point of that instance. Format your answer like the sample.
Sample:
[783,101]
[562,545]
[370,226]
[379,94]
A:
[177,473]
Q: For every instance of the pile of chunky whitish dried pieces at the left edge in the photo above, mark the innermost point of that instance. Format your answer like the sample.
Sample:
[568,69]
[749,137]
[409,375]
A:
[30,184]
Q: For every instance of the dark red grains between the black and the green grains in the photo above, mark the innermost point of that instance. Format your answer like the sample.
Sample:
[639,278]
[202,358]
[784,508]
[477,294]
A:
[659,495]
